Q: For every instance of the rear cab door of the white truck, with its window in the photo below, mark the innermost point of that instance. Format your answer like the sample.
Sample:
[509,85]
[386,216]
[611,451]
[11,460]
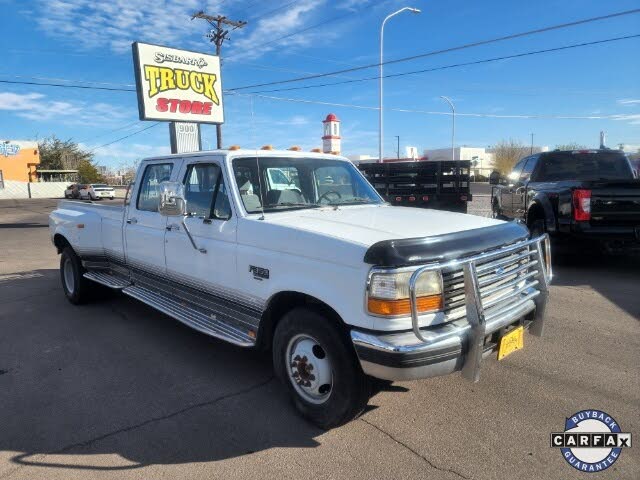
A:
[144,227]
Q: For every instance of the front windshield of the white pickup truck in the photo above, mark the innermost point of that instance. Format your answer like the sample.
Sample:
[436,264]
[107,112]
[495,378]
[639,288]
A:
[293,183]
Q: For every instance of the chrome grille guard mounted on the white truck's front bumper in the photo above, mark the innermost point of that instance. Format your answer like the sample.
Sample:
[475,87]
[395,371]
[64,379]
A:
[475,309]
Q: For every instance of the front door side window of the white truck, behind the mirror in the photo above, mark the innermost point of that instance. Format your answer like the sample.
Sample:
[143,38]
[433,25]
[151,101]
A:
[205,191]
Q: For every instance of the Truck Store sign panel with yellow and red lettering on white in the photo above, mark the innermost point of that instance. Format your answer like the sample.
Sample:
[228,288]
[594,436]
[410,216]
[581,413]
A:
[177,85]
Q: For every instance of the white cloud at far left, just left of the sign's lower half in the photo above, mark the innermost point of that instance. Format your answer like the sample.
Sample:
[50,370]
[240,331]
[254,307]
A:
[38,107]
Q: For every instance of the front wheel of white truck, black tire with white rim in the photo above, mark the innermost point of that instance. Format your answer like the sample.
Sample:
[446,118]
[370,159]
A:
[319,368]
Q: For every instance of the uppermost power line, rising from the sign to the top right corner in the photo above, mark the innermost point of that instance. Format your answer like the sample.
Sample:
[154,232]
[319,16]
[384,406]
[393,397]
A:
[447,50]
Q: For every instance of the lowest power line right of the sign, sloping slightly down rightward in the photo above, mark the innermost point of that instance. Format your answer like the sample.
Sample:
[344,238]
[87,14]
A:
[428,112]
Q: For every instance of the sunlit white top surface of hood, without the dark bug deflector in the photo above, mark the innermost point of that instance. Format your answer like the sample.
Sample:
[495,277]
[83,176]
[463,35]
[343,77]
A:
[369,225]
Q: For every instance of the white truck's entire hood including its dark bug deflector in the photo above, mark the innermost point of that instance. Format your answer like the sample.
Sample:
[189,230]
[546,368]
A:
[381,235]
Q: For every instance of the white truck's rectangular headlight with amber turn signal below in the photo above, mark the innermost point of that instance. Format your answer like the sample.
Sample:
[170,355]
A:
[388,293]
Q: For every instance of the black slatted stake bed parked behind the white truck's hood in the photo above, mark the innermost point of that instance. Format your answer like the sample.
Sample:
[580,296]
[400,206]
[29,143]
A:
[442,185]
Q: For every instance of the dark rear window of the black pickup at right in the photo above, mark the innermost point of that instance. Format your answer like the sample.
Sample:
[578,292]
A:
[584,166]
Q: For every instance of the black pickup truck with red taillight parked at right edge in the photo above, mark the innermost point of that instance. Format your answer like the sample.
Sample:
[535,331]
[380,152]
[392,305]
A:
[586,195]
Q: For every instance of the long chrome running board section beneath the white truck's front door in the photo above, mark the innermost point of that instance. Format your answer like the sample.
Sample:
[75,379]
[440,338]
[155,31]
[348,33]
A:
[196,319]
